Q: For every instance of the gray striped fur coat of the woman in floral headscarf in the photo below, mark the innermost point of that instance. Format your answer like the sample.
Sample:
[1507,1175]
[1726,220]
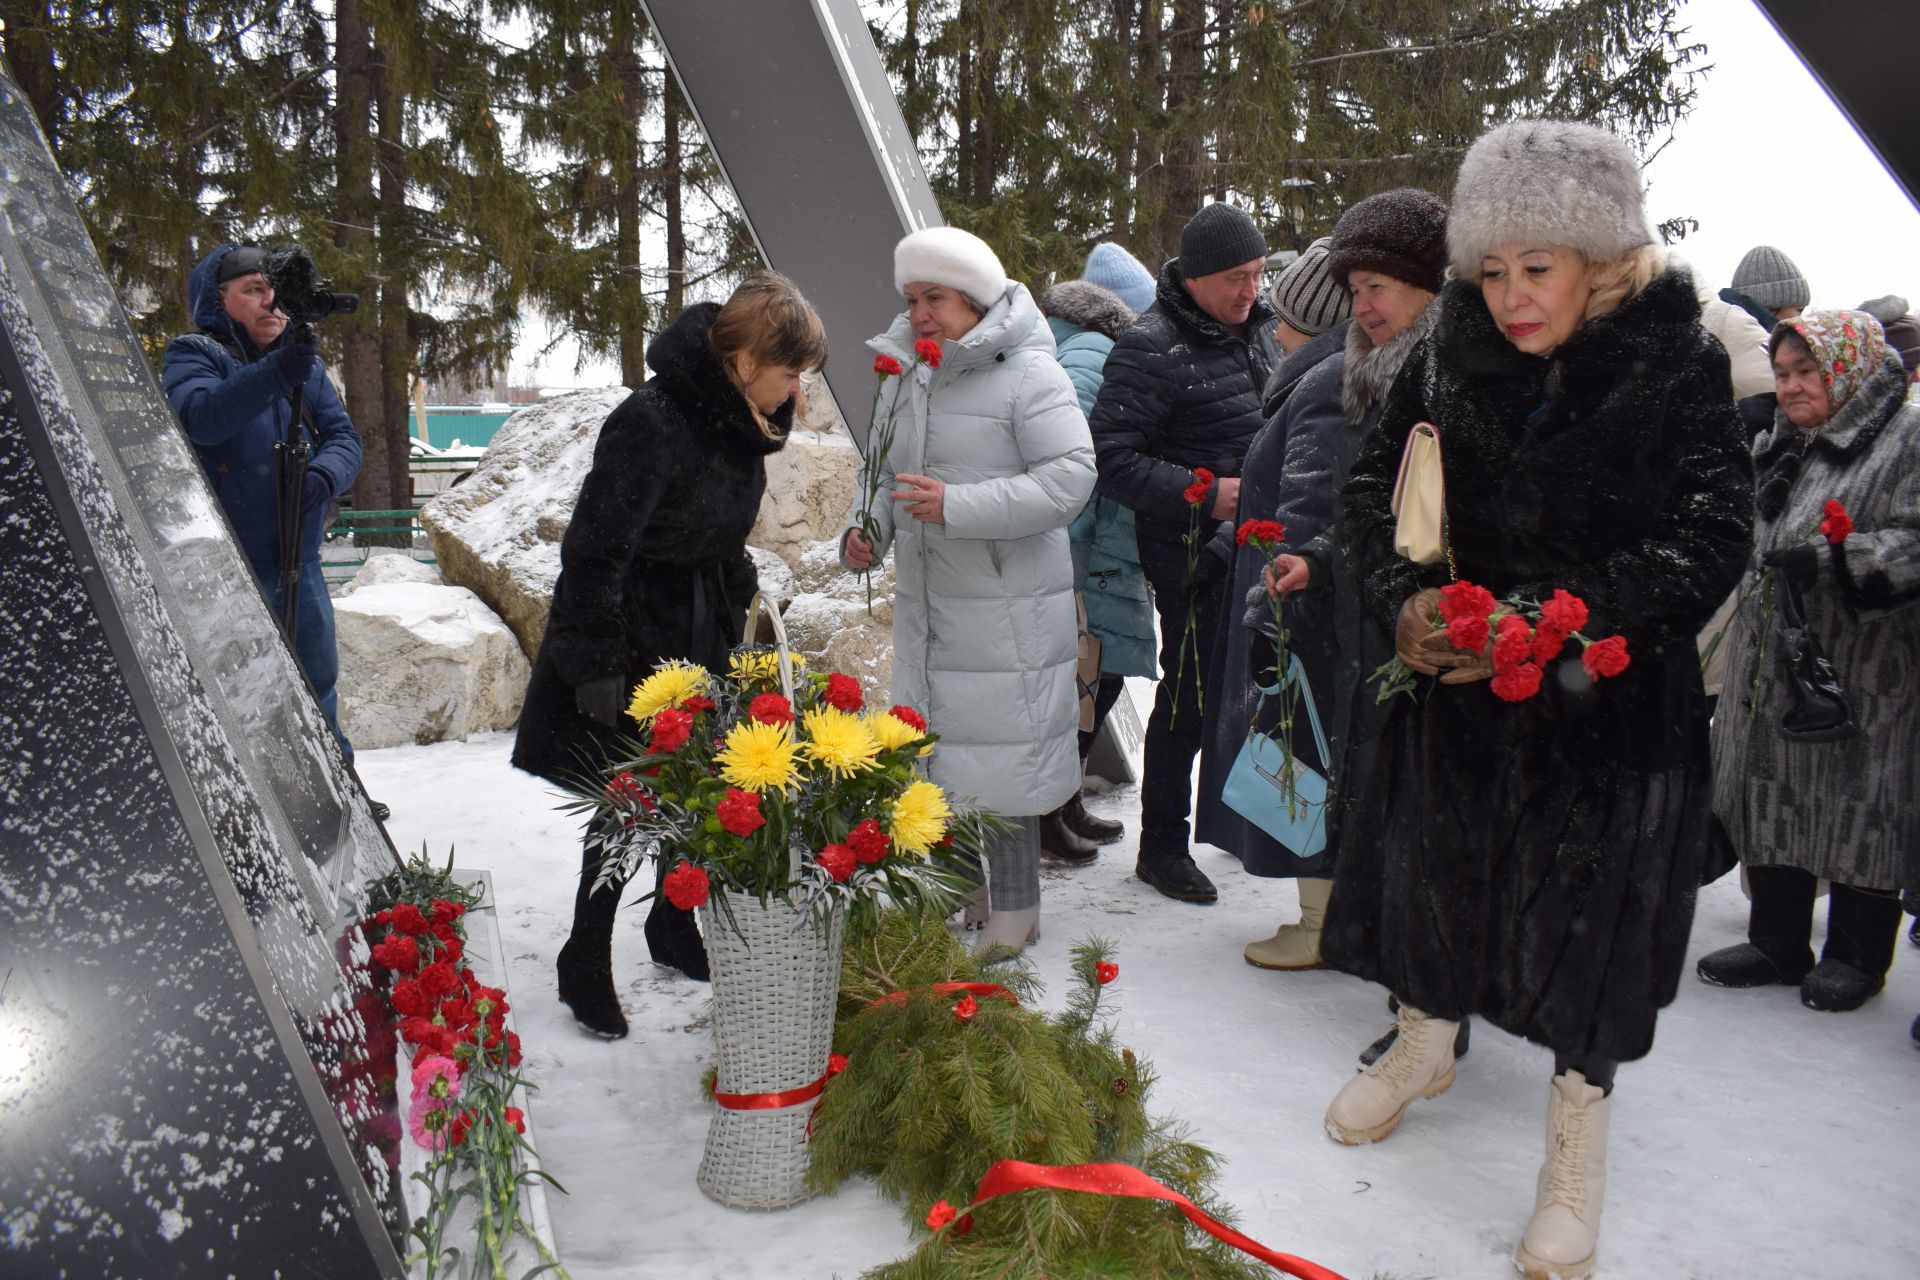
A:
[1844,811]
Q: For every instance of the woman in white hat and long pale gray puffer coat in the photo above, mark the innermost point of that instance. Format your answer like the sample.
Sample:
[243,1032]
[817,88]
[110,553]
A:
[990,463]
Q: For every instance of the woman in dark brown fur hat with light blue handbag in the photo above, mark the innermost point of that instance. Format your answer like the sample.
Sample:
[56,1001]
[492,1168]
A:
[1389,252]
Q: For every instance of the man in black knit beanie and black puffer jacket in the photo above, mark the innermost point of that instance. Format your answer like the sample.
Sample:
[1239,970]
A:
[1182,394]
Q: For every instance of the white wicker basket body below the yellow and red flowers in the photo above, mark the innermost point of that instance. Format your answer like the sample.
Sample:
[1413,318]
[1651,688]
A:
[775,989]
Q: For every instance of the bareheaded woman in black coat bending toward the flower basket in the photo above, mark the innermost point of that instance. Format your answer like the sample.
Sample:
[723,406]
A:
[656,567]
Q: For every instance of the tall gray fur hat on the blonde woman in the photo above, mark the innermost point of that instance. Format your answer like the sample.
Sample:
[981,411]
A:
[1547,183]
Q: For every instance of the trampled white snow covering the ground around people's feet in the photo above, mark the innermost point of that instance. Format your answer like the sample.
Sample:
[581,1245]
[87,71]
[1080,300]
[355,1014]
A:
[1760,1141]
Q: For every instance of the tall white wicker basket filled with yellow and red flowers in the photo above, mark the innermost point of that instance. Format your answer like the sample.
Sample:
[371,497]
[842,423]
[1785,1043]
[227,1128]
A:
[779,807]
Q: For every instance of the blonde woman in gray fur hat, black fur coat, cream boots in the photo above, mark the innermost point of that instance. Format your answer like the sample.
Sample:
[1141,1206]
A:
[1535,863]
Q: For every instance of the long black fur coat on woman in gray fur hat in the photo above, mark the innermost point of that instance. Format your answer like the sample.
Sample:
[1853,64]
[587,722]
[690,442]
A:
[1537,863]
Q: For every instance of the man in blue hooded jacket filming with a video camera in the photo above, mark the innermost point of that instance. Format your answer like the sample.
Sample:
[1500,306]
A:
[231,389]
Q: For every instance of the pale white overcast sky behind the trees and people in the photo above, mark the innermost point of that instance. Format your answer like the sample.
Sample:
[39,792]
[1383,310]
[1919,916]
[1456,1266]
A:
[1765,158]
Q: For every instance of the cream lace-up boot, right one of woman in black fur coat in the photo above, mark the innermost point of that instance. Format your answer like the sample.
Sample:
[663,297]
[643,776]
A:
[1562,1239]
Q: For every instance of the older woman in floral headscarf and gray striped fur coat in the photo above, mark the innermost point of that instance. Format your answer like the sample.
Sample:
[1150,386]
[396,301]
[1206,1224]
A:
[1846,811]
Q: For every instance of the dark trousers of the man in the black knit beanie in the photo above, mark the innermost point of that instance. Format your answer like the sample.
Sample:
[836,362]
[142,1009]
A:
[1174,732]
